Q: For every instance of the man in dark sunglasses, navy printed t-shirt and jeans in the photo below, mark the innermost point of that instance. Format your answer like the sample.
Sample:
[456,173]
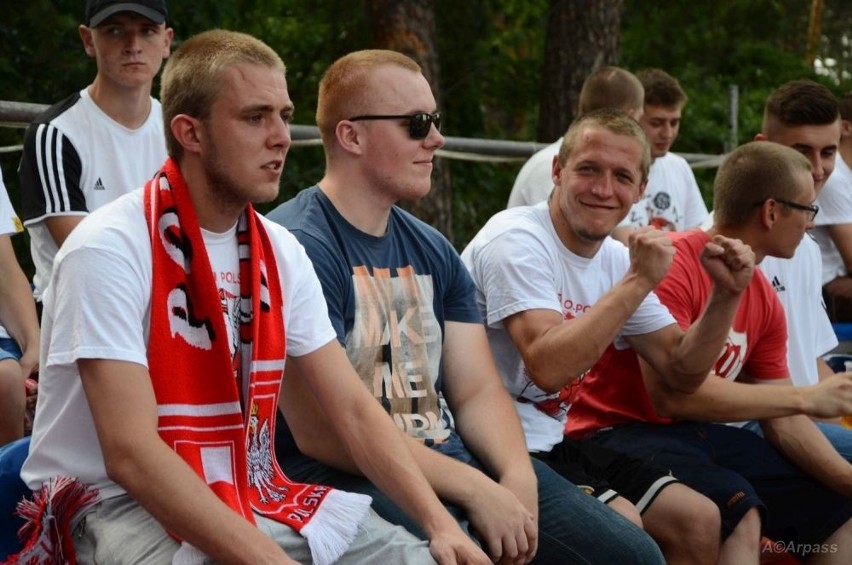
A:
[402,304]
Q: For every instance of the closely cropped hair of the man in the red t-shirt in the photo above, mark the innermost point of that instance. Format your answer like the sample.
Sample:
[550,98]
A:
[752,174]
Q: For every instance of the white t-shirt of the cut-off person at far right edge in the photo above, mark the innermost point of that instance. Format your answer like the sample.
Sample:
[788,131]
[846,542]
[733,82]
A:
[835,208]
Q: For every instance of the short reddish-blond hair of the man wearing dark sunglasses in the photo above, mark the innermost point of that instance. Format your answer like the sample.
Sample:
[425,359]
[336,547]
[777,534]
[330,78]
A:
[343,91]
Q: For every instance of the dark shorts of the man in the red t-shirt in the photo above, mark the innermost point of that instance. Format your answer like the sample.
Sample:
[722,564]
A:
[738,470]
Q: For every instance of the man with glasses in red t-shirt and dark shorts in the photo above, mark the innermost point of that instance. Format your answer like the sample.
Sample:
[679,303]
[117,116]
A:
[787,485]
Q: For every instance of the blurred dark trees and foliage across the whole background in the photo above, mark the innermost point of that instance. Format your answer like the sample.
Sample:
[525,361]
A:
[492,54]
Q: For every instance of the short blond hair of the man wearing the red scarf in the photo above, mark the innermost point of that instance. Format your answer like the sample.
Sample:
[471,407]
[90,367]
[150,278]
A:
[193,74]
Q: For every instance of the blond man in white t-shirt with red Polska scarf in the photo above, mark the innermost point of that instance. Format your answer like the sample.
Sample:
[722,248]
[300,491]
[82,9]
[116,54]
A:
[171,316]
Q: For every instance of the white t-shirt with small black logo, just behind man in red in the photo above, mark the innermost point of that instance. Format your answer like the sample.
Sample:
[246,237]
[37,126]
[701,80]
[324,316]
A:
[809,332]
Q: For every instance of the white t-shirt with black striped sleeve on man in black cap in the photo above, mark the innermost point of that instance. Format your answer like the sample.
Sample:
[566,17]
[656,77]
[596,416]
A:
[78,161]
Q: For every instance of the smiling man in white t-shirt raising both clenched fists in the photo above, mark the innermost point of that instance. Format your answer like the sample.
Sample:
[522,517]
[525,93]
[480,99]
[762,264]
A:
[555,291]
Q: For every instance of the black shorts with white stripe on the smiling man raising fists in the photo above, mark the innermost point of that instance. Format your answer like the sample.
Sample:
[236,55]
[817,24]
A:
[605,473]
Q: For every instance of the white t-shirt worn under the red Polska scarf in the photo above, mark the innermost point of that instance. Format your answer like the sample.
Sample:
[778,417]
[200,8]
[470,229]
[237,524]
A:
[99,309]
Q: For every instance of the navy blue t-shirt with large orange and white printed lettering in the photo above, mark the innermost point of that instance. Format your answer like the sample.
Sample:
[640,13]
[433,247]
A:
[388,298]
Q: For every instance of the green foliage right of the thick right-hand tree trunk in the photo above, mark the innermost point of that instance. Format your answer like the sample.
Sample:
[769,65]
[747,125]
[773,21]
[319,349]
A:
[709,46]
